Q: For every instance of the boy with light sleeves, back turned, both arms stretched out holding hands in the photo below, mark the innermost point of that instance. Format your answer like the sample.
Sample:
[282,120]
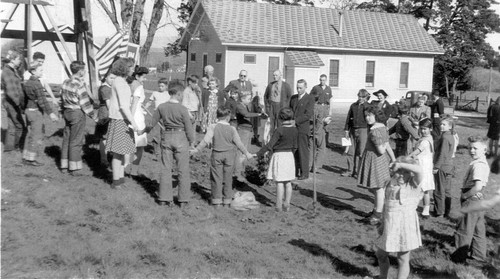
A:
[224,138]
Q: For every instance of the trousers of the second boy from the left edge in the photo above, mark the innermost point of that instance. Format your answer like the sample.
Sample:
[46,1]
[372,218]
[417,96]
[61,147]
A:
[35,136]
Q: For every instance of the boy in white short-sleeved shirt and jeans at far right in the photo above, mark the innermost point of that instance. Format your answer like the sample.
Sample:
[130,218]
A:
[470,237]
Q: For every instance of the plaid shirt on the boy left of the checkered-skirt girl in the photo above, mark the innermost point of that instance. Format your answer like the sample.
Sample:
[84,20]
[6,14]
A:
[74,95]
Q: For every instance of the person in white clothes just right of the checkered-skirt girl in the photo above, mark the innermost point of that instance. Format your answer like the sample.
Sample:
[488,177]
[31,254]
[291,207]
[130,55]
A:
[138,113]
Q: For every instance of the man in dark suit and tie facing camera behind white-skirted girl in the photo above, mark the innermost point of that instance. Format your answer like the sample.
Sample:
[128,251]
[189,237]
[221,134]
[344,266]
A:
[302,105]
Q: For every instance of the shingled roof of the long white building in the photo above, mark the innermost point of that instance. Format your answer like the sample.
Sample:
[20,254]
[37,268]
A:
[249,23]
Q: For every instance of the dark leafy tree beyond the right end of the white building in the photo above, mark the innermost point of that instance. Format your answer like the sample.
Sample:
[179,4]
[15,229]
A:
[460,28]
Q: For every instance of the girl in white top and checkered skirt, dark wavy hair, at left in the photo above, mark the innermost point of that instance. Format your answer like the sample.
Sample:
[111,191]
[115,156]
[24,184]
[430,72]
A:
[122,125]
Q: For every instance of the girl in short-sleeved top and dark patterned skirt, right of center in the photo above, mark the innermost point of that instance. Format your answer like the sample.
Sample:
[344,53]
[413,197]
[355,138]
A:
[374,170]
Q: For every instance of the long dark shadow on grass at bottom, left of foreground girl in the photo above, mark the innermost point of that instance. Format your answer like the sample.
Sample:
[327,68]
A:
[343,267]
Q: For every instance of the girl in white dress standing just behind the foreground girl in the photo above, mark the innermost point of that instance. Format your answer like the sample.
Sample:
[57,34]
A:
[424,153]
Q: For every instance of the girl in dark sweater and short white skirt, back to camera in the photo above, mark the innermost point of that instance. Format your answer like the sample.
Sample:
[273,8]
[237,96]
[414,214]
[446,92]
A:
[283,144]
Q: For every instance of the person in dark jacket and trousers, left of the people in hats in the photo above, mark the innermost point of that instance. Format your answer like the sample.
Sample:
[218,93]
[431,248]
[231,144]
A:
[356,129]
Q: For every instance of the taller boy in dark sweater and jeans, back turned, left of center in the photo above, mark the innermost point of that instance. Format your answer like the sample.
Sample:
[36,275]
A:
[176,139]
